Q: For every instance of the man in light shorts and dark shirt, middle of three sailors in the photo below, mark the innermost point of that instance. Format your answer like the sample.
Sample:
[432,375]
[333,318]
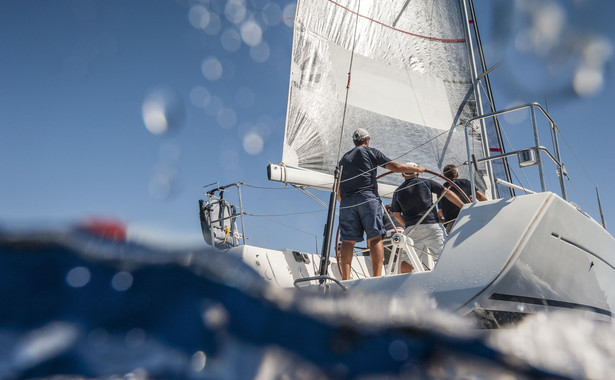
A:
[411,201]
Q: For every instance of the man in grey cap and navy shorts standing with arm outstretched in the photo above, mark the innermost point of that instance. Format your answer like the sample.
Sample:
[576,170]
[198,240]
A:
[360,206]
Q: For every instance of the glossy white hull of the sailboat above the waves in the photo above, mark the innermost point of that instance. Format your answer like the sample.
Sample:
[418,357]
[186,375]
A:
[502,260]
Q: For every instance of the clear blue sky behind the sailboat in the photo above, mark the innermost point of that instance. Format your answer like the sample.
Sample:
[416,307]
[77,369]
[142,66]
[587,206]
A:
[76,78]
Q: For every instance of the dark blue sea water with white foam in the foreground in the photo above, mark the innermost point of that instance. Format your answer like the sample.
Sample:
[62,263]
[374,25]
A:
[76,305]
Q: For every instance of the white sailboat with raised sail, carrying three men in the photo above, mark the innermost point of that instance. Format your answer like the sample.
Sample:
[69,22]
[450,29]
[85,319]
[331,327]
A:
[413,74]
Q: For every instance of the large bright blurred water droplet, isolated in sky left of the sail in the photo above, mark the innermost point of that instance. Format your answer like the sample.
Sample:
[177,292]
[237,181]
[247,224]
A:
[162,111]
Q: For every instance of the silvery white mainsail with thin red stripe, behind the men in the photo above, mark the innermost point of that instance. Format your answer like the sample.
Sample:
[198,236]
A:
[398,68]
